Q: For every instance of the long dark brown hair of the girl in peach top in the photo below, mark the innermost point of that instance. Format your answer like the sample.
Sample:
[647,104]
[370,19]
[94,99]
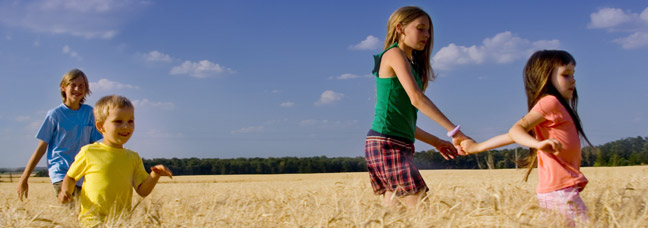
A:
[537,84]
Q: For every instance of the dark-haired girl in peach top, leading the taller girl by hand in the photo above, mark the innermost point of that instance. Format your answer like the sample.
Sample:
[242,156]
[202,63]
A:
[553,128]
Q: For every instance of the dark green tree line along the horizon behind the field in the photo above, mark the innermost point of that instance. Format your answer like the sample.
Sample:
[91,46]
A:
[623,152]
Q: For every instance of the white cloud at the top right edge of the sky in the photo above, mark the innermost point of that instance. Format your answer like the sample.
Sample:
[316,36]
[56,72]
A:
[616,20]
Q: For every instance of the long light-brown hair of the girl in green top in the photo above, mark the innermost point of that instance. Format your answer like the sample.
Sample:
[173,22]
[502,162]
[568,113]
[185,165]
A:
[404,16]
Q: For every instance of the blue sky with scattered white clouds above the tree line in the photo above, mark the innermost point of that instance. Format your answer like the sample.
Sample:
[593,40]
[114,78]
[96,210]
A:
[225,79]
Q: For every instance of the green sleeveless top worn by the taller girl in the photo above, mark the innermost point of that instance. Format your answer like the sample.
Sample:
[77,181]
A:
[394,114]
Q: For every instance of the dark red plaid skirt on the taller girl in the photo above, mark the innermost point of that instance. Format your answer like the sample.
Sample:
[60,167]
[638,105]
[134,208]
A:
[391,167]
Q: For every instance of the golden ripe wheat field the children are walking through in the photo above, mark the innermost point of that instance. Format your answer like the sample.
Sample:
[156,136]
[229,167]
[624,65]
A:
[616,197]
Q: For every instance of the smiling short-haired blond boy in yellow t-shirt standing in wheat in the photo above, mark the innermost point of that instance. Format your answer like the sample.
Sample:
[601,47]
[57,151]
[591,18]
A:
[110,170]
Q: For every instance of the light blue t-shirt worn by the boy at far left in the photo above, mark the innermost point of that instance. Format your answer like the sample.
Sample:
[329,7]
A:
[65,131]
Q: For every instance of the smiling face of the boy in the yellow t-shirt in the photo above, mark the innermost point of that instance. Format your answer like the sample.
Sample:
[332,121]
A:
[118,126]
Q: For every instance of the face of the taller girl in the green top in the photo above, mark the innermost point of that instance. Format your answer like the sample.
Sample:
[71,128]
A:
[417,33]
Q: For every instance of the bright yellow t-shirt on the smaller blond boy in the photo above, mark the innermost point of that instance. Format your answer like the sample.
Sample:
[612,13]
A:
[110,175]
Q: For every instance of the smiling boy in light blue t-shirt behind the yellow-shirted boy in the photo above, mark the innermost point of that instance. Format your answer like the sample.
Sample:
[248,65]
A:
[65,130]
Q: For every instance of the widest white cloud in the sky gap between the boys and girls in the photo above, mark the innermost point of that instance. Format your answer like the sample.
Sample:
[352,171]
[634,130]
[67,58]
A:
[202,69]
